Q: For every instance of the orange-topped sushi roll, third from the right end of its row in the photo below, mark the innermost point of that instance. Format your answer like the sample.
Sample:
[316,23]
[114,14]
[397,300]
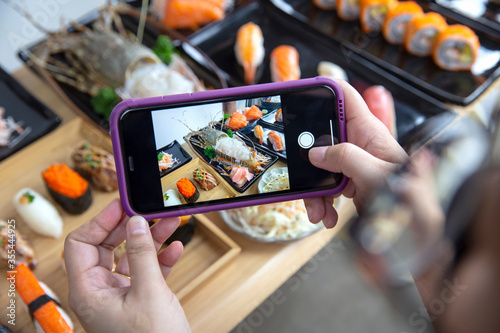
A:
[394,27]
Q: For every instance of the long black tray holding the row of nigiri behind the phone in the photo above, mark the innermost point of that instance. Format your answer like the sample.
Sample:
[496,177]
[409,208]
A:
[217,41]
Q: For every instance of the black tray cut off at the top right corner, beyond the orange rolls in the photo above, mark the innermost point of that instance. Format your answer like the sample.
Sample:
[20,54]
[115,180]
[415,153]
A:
[480,14]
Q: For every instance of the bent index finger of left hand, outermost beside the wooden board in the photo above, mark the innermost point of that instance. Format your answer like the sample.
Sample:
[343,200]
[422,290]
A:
[80,247]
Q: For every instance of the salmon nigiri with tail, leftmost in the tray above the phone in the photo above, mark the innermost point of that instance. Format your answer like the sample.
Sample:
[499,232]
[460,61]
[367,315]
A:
[249,49]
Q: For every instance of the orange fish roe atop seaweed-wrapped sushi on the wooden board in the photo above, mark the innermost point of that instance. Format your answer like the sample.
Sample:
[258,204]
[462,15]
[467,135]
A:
[65,181]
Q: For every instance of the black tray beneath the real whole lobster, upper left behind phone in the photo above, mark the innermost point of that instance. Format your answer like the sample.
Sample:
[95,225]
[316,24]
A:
[83,100]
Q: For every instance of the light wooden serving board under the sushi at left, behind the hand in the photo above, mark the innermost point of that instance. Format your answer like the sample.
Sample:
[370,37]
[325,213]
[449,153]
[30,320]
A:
[209,250]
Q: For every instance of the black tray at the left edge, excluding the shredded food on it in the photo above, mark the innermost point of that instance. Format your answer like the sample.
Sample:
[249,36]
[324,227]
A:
[23,106]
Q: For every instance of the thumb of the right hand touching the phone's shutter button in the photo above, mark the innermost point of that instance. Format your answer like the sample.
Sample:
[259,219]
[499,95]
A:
[352,161]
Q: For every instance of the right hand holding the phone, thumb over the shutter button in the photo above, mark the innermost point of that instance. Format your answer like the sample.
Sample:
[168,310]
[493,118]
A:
[367,158]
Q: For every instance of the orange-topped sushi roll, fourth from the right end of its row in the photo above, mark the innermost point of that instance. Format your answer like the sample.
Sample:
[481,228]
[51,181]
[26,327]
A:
[373,13]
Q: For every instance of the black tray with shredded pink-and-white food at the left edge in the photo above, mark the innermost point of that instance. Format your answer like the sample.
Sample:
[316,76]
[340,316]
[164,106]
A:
[27,117]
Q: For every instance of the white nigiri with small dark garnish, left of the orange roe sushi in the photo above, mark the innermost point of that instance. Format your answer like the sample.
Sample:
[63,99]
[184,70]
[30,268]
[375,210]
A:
[39,214]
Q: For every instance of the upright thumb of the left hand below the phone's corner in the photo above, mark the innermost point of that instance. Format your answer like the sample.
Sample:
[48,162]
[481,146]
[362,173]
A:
[142,257]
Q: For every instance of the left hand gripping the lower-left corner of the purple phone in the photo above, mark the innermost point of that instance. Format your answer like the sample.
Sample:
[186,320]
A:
[107,301]
